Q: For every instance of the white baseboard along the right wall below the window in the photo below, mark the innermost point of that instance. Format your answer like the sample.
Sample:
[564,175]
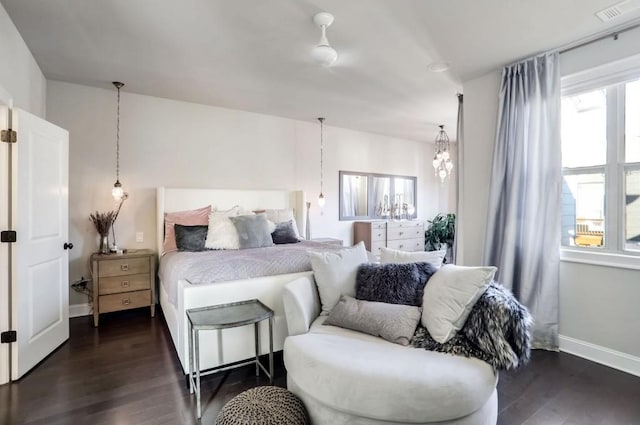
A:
[606,356]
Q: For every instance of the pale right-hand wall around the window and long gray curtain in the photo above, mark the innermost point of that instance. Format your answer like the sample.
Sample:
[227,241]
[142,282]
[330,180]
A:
[598,305]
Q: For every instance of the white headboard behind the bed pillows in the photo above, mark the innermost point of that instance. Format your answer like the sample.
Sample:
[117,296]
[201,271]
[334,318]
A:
[172,199]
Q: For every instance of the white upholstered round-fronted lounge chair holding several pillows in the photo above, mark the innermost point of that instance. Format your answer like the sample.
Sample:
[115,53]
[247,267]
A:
[347,377]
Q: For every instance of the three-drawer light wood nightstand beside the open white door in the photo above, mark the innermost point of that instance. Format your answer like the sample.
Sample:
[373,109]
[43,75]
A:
[123,281]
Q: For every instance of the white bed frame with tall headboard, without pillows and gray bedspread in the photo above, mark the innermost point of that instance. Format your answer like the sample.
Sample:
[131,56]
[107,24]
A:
[177,294]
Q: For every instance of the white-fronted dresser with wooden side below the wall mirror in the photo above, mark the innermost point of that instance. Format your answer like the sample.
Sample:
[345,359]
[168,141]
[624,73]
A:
[401,235]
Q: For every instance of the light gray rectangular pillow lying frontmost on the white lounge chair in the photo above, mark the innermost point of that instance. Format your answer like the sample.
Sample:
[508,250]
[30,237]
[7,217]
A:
[395,323]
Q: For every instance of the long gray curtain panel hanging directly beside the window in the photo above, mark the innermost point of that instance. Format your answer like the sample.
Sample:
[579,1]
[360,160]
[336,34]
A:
[523,229]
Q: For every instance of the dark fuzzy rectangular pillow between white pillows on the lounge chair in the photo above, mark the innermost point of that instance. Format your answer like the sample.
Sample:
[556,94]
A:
[393,283]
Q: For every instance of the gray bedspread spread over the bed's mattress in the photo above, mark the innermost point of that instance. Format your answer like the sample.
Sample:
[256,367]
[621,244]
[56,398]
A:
[226,265]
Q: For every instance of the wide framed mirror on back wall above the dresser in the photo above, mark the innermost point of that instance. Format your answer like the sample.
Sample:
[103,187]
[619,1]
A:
[377,196]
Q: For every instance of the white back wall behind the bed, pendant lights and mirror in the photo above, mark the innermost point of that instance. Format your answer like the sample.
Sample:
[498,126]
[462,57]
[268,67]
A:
[178,144]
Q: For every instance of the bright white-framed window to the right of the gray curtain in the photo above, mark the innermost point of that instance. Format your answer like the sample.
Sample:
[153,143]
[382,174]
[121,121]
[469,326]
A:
[601,166]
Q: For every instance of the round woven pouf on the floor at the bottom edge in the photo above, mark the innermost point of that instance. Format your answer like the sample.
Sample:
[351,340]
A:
[264,406]
